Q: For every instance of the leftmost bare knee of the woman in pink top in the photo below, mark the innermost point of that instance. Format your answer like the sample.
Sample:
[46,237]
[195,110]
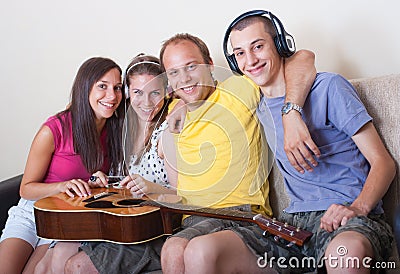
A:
[14,253]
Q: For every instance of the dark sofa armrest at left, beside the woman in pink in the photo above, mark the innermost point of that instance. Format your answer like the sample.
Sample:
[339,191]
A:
[9,196]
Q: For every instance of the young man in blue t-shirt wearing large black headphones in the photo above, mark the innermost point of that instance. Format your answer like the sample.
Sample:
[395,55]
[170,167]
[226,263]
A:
[340,201]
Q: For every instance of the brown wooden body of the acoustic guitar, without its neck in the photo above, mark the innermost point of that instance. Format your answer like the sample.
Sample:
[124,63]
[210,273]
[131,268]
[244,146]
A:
[60,217]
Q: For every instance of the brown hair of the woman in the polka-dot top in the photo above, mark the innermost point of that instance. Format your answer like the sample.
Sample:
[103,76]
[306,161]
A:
[144,64]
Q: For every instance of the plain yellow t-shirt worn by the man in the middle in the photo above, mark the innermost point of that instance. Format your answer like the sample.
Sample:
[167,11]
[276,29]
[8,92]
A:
[221,151]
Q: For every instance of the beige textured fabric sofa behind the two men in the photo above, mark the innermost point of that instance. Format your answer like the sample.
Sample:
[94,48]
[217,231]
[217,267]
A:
[381,96]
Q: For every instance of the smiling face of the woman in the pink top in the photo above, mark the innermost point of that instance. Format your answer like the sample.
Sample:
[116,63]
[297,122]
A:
[106,95]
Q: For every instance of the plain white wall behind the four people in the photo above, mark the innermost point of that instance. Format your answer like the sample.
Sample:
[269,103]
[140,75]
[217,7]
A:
[43,42]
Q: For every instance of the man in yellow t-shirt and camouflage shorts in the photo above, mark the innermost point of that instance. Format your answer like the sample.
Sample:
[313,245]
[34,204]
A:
[220,152]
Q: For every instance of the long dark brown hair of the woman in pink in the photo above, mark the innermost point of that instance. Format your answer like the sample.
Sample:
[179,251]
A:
[86,139]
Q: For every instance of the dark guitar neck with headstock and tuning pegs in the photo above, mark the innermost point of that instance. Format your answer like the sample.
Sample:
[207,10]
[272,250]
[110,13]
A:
[285,231]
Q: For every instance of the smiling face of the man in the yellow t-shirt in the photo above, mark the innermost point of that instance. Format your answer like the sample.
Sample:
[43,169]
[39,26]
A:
[187,73]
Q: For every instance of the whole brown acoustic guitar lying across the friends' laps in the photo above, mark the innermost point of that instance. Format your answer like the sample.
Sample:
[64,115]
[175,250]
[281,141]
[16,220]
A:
[113,215]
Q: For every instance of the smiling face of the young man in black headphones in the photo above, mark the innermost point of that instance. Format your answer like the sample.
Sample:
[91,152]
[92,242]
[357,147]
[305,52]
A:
[256,54]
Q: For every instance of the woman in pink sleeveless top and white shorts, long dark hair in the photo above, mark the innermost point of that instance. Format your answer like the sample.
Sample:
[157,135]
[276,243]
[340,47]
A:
[68,148]
